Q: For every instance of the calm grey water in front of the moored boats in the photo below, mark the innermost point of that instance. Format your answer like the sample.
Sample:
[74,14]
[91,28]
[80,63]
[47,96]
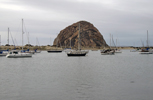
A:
[54,76]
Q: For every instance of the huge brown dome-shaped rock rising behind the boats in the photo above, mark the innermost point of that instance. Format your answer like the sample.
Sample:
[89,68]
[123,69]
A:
[89,36]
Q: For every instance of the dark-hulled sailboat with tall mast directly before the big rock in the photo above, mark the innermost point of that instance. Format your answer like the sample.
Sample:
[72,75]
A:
[77,52]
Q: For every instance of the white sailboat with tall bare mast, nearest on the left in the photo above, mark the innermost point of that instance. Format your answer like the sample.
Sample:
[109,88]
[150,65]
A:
[17,53]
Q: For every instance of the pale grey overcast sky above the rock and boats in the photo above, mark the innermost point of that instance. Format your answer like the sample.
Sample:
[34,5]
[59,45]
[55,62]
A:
[127,20]
